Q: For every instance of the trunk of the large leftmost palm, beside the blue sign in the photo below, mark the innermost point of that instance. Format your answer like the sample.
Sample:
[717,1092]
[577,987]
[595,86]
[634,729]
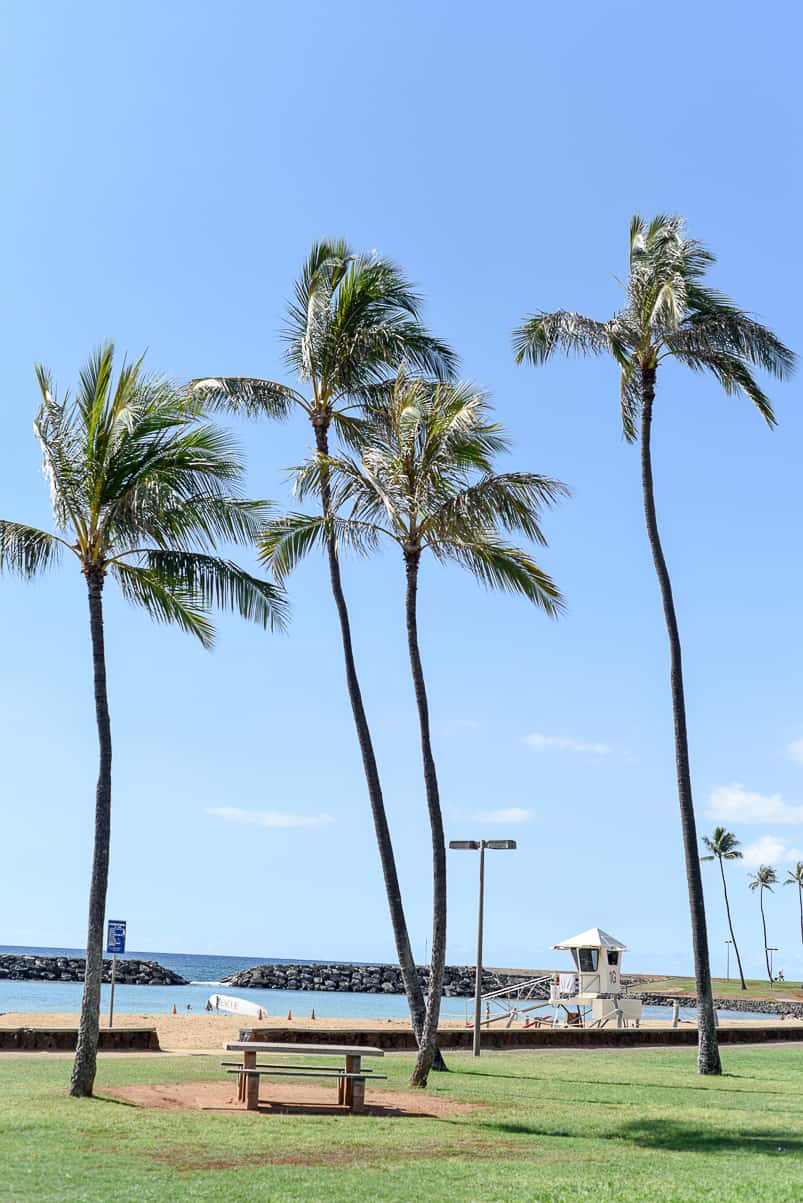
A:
[84,1070]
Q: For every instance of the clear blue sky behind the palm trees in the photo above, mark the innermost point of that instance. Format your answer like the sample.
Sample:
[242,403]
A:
[167,168]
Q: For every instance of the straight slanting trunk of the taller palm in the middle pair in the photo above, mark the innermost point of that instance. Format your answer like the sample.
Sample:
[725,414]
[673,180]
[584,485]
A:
[404,951]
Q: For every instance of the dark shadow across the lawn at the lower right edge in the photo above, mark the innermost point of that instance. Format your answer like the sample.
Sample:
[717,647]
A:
[675,1136]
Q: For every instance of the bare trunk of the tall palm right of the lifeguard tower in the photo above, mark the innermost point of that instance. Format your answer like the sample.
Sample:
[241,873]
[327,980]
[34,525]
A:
[708,1058]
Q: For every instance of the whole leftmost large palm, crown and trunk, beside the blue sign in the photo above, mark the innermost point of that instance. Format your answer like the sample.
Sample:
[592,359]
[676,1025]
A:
[143,490]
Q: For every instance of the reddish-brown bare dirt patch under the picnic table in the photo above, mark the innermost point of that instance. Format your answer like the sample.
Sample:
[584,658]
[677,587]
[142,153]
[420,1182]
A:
[284,1099]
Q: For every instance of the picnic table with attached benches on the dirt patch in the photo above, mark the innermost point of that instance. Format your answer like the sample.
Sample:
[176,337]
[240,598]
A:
[351,1075]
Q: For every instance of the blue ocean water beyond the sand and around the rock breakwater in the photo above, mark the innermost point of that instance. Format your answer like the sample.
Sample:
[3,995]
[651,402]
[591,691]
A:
[205,975]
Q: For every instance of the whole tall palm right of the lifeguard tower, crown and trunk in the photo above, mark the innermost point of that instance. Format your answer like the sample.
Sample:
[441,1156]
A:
[669,313]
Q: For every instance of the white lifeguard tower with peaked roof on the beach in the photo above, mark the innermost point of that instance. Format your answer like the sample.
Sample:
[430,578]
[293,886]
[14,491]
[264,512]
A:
[593,992]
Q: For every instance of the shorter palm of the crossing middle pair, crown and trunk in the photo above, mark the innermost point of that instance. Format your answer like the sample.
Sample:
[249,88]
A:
[426,481]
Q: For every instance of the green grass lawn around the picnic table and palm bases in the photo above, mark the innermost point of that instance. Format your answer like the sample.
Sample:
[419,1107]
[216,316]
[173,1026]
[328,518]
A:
[635,1127]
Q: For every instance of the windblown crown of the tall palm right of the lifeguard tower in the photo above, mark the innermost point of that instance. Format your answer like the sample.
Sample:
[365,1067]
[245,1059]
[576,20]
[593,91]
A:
[669,313]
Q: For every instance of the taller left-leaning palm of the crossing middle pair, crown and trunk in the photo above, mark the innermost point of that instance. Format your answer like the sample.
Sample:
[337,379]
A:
[353,318]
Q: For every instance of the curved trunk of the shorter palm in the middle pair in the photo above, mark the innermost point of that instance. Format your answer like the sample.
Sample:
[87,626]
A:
[429,1041]
